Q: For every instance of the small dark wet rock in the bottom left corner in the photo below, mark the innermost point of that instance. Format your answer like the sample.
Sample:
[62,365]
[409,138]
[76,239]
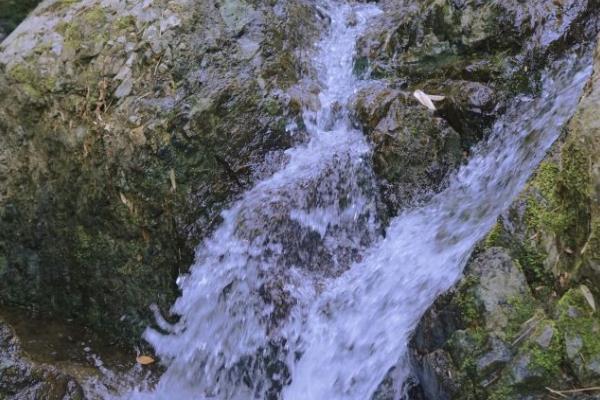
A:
[21,379]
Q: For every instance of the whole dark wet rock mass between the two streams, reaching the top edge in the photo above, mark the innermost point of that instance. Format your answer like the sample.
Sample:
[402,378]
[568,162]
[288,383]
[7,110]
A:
[475,54]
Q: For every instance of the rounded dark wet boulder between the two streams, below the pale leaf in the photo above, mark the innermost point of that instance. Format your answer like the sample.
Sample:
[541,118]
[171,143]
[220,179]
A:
[412,149]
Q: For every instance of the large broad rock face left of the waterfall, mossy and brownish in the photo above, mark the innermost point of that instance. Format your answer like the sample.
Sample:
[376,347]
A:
[124,131]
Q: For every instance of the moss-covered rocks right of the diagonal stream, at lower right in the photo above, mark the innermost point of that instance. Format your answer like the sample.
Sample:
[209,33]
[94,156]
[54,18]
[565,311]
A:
[525,316]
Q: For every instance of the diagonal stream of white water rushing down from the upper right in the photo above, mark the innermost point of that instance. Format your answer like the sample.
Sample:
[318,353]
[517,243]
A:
[360,327]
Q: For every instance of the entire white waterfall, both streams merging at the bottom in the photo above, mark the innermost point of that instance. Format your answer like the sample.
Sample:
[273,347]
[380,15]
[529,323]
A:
[298,291]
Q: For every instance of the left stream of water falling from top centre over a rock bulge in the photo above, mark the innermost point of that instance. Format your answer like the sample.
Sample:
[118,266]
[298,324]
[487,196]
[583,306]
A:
[305,223]
